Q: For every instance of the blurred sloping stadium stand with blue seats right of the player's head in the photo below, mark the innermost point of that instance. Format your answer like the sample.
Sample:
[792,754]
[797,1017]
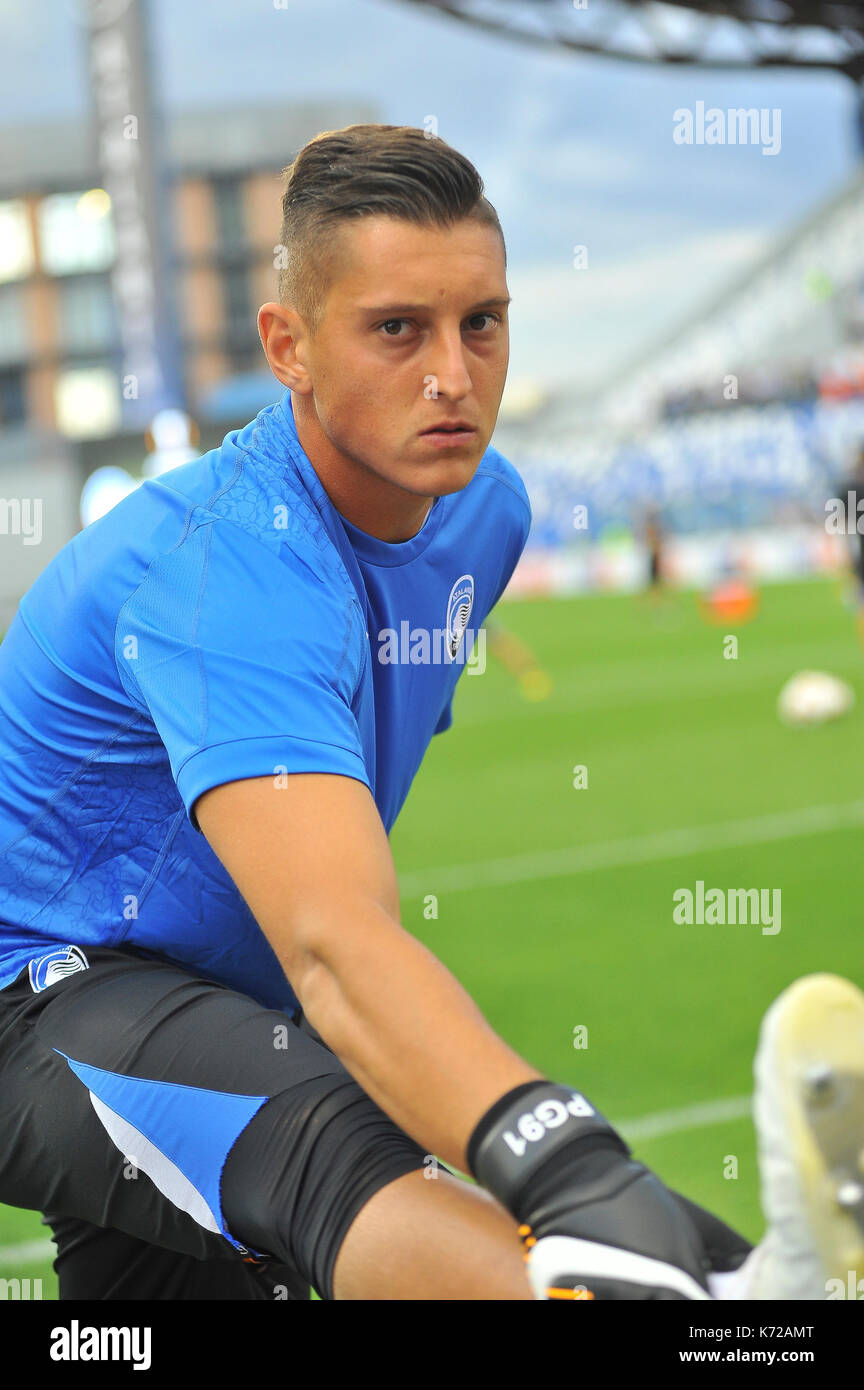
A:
[745,418]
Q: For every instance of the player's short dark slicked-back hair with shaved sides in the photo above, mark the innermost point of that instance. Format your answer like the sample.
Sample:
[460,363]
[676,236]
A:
[366,172]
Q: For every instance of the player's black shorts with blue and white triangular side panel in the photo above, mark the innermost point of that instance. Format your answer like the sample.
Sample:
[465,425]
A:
[183,1140]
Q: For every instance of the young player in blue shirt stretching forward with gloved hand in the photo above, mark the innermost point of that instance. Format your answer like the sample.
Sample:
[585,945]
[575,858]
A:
[224,1064]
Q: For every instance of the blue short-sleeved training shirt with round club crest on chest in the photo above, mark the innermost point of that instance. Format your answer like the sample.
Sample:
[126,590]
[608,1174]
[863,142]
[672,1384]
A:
[223,622]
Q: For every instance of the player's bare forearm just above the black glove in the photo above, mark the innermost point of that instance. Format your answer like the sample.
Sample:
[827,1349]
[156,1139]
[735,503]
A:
[408,1032]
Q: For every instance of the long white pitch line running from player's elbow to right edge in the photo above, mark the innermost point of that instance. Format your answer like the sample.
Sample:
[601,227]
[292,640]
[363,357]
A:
[616,854]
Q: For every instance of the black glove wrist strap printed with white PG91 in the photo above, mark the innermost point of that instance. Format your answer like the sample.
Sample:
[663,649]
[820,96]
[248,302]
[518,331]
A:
[529,1127]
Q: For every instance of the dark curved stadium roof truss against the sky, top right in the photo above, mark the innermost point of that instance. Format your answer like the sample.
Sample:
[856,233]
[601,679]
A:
[713,34]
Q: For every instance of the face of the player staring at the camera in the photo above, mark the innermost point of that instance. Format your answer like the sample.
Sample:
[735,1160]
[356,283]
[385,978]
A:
[413,334]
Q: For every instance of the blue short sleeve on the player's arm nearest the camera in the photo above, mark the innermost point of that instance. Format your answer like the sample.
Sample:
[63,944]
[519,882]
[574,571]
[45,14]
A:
[247,660]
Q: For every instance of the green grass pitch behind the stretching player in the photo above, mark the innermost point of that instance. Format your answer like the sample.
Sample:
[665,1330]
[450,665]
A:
[674,737]
